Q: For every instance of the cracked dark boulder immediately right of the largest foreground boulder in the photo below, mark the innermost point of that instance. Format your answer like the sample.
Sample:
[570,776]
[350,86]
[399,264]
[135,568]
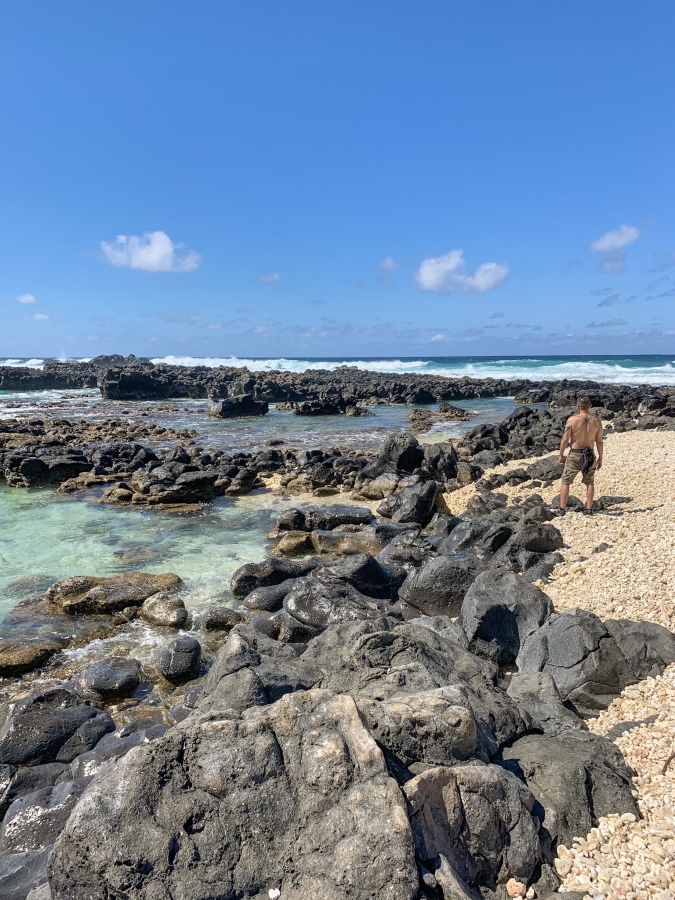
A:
[478,817]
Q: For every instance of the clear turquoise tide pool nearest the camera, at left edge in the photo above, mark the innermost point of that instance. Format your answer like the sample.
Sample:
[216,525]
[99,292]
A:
[48,536]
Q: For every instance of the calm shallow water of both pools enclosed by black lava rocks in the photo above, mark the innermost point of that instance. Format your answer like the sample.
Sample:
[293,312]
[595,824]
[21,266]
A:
[47,536]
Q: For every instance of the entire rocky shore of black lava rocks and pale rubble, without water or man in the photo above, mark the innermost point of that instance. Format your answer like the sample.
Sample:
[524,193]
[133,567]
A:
[432,687]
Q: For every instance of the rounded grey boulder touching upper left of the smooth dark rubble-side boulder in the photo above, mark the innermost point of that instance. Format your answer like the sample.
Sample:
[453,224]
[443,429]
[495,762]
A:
[439,587]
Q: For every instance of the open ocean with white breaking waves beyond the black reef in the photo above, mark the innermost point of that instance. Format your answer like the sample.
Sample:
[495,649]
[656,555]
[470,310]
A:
[639,369]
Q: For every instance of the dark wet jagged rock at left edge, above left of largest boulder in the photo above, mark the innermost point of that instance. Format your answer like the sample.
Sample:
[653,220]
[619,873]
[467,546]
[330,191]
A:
[52,726]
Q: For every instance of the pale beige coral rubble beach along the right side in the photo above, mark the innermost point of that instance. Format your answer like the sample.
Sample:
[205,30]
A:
[633,578]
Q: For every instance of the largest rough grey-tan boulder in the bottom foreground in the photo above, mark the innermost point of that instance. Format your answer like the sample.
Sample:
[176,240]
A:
[293,798]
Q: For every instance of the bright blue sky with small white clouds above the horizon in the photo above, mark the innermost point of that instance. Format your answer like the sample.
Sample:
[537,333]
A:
[302,179]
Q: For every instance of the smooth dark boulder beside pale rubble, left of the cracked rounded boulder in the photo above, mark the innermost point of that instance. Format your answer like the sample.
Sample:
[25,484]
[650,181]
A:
[500,611]
